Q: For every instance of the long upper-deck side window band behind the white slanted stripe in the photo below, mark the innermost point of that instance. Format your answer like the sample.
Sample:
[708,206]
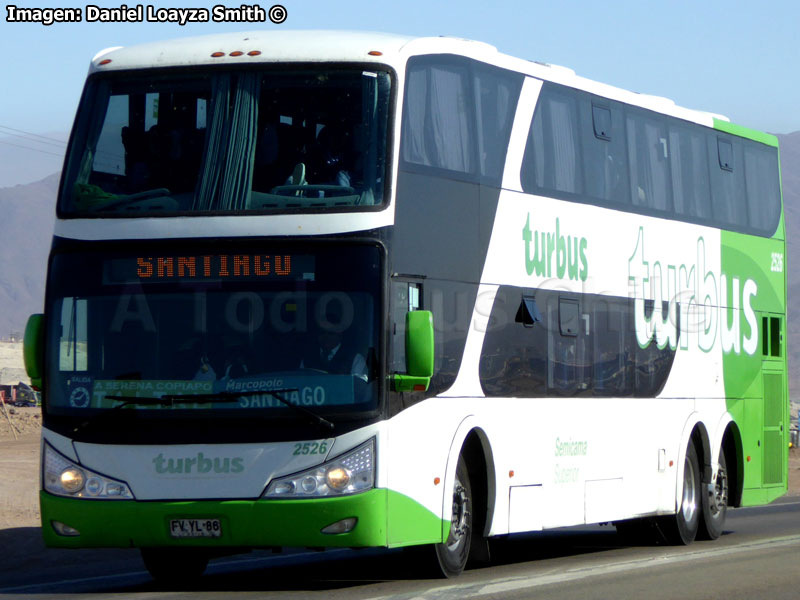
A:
[588,149]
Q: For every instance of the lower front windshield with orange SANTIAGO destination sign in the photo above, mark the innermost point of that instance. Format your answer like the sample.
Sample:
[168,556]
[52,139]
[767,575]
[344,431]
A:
[188,321]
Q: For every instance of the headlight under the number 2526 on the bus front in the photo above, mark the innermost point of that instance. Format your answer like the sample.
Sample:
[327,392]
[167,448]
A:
[349,473]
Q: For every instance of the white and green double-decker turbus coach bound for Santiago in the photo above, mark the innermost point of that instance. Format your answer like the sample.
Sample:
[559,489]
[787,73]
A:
[327,289]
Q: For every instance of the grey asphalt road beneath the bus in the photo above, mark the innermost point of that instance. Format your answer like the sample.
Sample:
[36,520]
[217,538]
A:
[757,557]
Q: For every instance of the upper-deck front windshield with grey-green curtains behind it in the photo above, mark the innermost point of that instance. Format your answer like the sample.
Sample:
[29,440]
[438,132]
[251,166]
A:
[278,140]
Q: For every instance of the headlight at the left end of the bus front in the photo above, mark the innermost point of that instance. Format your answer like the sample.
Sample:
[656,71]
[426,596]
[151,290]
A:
[65,478]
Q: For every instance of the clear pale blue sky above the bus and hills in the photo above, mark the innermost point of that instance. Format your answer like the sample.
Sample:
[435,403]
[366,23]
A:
[737,58]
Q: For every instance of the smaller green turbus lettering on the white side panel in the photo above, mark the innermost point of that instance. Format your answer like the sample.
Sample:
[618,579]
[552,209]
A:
[553,254]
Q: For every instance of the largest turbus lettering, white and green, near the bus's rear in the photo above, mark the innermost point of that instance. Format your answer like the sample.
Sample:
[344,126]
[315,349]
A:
[694,289]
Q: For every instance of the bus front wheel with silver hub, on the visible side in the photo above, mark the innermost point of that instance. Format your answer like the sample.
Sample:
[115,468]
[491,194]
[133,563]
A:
[452,554]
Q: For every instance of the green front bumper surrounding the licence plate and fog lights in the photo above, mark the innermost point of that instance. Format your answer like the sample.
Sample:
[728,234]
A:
[242,523]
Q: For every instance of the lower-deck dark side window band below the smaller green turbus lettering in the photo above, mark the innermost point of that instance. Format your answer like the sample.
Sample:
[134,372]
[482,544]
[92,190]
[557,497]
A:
[583,345]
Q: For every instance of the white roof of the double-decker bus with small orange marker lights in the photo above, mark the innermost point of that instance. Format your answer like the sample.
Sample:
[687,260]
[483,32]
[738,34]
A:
[258,47]
